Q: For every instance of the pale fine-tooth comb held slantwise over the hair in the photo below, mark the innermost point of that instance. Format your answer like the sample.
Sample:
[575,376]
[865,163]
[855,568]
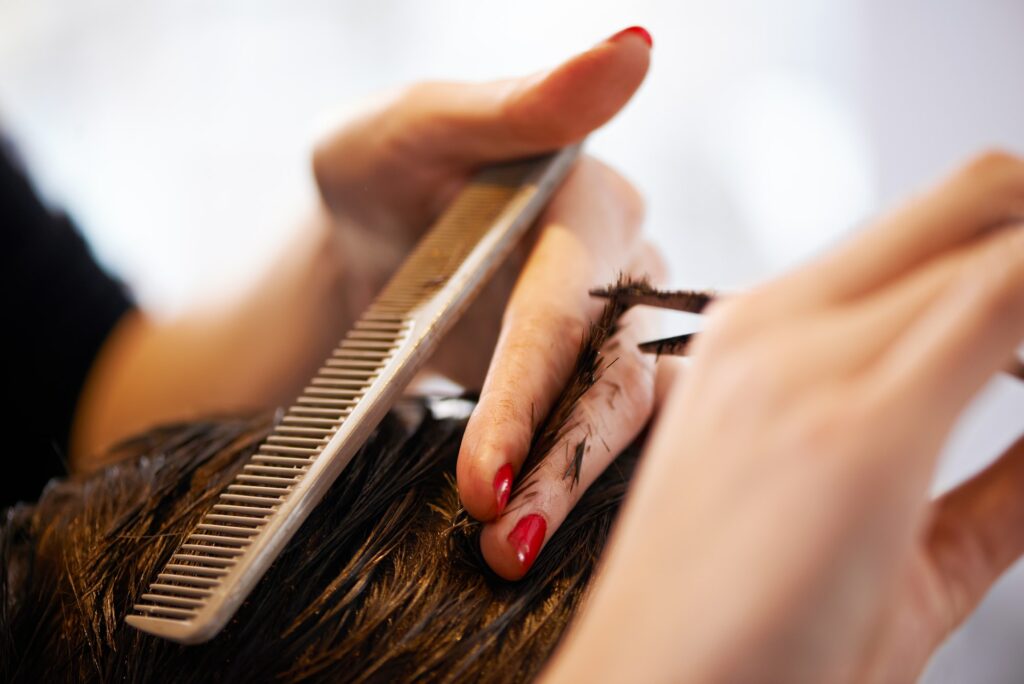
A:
[215,569]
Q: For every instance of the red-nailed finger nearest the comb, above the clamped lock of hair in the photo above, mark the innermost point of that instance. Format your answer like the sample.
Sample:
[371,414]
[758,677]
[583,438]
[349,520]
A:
[589,234]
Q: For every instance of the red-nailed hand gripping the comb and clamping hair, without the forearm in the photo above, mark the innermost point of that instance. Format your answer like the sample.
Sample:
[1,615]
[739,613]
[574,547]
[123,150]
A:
[394,167]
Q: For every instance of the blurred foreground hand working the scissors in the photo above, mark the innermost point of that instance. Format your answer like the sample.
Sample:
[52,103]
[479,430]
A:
[782,528]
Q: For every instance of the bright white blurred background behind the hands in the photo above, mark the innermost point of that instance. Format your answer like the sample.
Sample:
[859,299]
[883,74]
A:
[179,136]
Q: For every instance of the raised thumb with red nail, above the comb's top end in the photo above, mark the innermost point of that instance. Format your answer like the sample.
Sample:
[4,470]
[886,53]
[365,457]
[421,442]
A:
[480,123]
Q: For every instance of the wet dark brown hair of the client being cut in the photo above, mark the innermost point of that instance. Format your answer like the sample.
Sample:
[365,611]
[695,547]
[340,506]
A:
[385,582]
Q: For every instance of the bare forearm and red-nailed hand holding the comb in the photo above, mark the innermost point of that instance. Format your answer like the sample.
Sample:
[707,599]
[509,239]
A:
[383,176]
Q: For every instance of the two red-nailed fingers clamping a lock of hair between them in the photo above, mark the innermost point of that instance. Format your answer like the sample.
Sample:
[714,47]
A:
[590,234]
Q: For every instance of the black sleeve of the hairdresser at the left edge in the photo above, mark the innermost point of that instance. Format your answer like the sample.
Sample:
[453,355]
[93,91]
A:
[58,307]
